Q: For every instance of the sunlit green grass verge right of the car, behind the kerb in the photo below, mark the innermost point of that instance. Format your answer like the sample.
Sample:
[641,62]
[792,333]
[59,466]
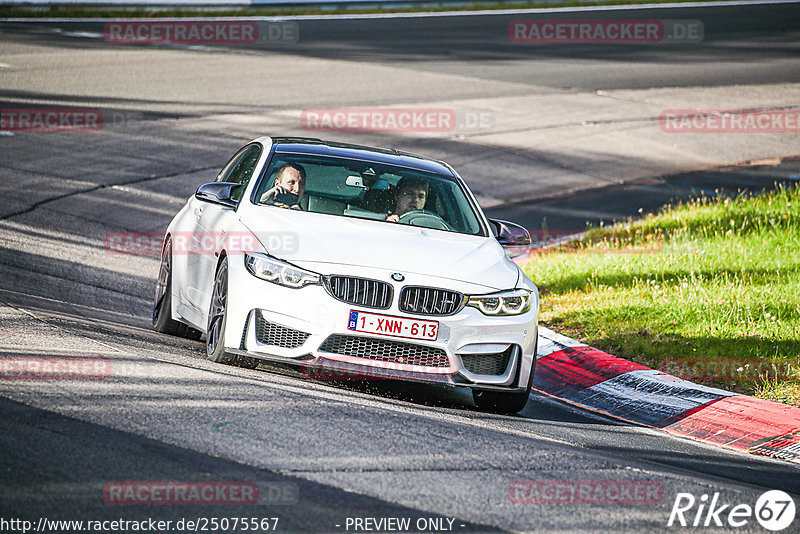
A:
[708,290]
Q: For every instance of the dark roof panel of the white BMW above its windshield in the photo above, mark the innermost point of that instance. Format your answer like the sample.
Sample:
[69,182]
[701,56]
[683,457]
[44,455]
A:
[387,156]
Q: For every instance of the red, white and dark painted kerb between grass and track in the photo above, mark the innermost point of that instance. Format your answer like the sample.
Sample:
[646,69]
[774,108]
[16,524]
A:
[591,379]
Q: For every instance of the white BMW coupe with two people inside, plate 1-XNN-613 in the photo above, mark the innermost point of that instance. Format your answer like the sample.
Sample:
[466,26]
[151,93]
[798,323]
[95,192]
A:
[351,261]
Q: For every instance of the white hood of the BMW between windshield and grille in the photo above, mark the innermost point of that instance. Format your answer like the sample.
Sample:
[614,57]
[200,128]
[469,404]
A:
[311,240]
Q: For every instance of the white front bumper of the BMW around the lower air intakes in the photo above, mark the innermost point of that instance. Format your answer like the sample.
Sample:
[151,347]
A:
[471,349]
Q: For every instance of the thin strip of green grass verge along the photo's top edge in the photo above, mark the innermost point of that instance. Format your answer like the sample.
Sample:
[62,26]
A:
[79,11]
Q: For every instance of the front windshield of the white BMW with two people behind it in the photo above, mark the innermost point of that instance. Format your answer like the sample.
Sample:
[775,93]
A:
[367,190]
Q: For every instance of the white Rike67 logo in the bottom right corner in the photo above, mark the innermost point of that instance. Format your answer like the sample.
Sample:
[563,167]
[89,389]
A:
[774,510]
